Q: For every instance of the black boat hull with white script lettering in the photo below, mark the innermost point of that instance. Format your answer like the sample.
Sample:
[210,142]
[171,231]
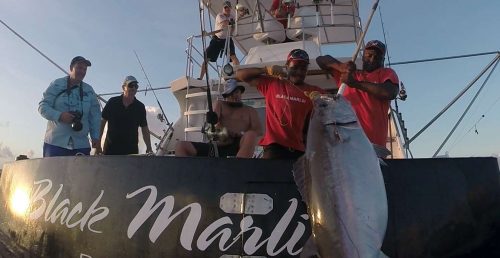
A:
[136,206]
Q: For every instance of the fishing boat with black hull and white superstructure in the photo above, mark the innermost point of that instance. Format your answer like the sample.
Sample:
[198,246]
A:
[165,206]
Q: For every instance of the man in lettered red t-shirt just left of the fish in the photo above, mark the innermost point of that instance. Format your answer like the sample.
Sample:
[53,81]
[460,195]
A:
[288,104]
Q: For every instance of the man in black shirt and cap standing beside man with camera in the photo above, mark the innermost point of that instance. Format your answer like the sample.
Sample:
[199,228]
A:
[124,114]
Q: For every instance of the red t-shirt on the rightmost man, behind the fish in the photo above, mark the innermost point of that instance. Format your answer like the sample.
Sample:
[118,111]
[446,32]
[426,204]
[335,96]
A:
[372,112]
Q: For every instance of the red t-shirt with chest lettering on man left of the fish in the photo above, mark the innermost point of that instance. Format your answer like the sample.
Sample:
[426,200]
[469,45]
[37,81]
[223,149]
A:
[287,108]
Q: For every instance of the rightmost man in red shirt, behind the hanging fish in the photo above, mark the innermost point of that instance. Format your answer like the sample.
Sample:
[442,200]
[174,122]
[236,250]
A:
[369,90]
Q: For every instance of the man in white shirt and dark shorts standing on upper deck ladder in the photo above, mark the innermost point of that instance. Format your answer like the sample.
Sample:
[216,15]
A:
[218,41]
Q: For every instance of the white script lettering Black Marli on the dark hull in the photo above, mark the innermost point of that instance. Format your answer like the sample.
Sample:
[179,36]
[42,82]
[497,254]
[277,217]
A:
[60,211]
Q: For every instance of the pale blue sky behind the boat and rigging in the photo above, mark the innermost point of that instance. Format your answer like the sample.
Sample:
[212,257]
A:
[108,32]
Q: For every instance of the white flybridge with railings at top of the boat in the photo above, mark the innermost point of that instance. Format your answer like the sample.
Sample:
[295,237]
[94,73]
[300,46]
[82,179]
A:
[325,22]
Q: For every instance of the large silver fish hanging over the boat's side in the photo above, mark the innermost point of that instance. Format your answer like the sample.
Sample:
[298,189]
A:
[340,180]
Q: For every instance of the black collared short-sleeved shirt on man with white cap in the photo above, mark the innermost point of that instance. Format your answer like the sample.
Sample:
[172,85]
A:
[123,122]
